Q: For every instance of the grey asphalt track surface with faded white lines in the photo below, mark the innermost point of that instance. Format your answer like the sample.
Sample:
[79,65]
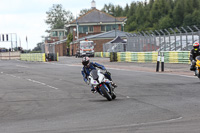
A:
[51,97]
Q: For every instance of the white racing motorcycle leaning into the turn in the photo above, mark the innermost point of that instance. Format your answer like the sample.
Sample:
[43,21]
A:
[101,84]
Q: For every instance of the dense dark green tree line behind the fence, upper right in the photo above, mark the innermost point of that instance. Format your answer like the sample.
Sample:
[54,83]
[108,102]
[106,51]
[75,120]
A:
[157,14]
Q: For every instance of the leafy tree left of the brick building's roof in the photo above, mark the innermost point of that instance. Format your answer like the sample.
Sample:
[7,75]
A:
[57,17]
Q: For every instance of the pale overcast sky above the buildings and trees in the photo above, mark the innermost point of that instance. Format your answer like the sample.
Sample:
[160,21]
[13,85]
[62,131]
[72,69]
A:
[27,17]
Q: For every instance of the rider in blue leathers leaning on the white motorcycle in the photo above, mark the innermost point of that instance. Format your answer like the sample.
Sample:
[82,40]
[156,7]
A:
[89,66]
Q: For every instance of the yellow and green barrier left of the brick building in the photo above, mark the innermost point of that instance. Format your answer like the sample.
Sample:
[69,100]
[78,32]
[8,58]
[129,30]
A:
[33,57]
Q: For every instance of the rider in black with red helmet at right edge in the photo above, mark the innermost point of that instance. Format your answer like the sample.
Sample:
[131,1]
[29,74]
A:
[193,54]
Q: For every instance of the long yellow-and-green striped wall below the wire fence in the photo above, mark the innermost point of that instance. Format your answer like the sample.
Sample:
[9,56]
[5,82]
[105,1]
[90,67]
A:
[169,56]
